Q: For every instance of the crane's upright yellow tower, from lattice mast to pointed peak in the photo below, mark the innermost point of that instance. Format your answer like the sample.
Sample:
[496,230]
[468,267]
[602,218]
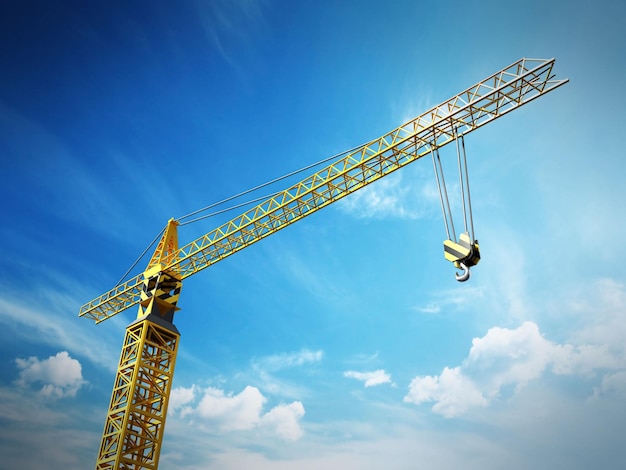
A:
[135,423]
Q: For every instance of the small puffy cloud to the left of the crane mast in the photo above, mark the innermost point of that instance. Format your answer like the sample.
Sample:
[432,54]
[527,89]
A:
[59,376]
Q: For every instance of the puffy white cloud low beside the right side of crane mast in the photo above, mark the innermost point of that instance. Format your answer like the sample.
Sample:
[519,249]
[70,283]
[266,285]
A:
[238,412]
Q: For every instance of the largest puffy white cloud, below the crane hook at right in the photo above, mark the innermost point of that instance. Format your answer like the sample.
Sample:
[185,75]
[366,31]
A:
[507,357]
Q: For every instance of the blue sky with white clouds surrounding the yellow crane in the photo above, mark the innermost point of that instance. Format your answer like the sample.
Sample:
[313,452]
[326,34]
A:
[343,341]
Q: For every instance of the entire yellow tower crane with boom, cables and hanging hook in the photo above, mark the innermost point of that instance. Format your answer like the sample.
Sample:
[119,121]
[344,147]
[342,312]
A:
[135,421]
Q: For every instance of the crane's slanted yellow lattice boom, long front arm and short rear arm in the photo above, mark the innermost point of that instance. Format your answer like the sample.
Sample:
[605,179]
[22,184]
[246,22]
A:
[497,95]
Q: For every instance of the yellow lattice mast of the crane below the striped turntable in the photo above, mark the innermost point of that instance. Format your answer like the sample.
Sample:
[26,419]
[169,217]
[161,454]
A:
[135,422]
